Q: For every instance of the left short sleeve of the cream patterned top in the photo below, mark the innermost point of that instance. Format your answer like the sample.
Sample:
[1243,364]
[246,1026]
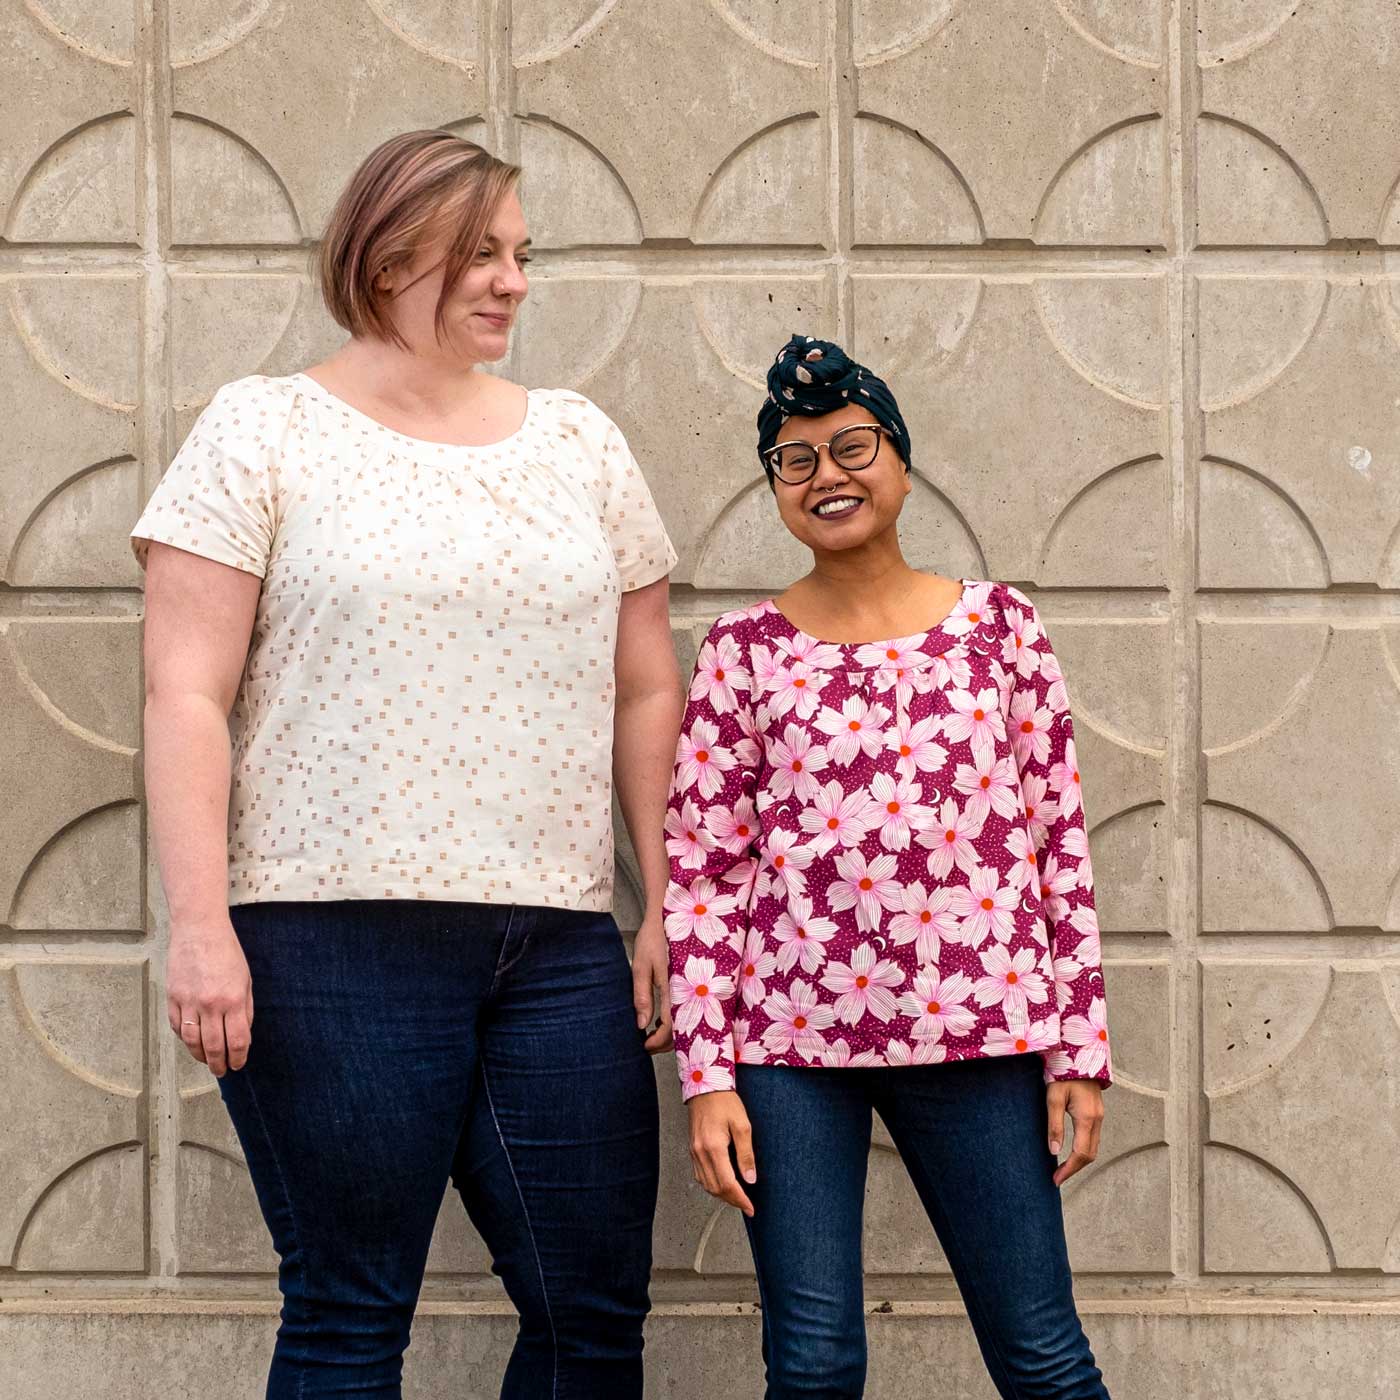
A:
[218,499]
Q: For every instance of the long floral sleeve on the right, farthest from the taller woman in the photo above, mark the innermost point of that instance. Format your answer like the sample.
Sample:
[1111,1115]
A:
[1042,737]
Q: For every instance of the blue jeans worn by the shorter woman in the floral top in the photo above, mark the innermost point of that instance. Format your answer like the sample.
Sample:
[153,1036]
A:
[974,1139]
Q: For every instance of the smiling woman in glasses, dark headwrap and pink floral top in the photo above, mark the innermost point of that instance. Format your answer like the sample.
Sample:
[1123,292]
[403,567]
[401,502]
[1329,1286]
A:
[883,899]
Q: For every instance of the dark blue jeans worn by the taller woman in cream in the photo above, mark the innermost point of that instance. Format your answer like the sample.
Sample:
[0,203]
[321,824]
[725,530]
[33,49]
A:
[400,1044]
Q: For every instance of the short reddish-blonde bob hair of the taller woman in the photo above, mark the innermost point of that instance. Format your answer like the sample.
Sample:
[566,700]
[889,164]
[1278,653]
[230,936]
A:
[408,192]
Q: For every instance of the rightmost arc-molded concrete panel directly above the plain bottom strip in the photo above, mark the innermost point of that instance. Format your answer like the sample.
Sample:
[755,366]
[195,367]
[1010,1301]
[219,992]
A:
[1280,1101]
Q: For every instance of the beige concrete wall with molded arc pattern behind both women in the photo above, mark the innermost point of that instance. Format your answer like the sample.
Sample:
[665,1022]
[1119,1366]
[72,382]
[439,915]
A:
[1126,262]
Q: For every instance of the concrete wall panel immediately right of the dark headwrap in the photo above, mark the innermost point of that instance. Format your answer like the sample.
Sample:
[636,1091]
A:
[1072,489]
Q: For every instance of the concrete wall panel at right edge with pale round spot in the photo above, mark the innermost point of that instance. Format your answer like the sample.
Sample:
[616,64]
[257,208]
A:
[1298,386]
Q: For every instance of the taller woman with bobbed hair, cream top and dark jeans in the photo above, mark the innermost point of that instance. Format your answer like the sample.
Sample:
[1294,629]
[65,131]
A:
[405,625]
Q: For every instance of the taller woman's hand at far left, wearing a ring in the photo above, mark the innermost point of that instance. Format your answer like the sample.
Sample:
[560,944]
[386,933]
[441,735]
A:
[209,995]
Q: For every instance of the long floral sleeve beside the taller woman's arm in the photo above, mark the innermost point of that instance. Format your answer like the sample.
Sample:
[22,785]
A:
[712,839]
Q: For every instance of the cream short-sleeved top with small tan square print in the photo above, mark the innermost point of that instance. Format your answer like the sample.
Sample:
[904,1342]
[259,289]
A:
[428,705]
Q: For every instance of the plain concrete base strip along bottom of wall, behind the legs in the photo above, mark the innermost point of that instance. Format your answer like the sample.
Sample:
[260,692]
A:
[1259,1352]
